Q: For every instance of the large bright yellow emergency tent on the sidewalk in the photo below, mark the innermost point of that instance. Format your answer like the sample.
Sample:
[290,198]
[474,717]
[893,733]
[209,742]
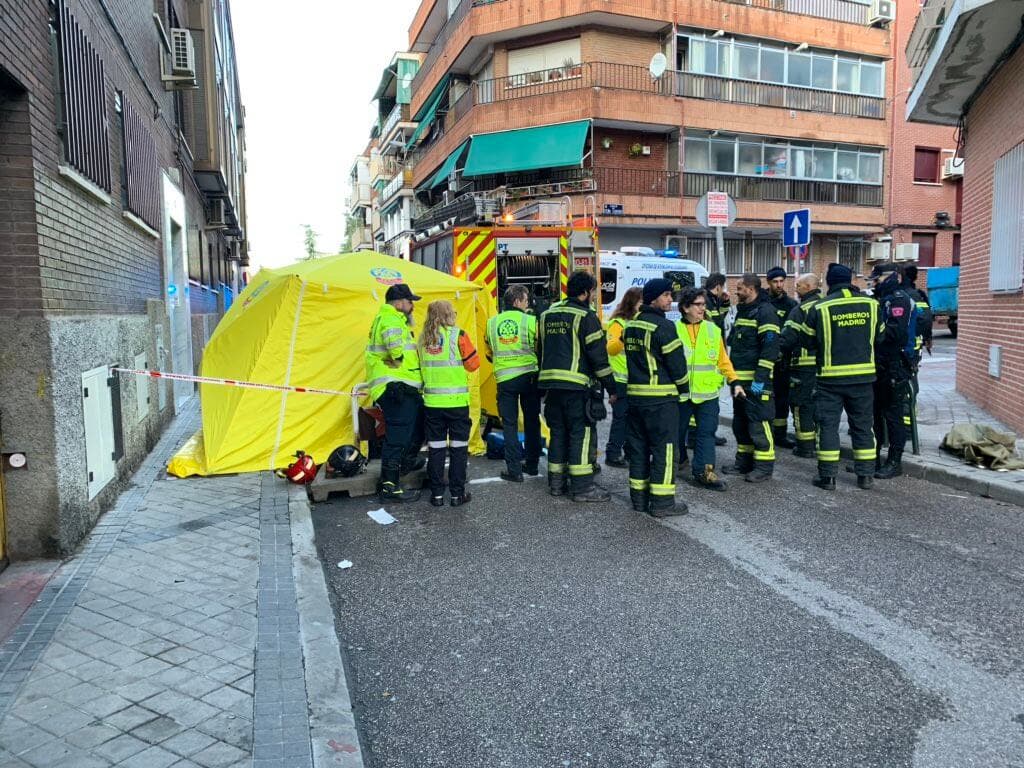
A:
[307,326]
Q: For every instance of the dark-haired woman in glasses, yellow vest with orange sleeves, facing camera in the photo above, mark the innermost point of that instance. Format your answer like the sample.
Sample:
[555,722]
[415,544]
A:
[708,368]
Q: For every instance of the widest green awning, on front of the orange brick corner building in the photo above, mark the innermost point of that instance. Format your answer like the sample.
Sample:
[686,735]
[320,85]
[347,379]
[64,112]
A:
[528,149]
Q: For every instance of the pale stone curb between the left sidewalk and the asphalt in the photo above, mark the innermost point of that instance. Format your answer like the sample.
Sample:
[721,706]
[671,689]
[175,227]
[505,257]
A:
[332,722]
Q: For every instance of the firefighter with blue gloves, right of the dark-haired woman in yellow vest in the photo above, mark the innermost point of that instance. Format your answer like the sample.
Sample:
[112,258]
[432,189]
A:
[754,350]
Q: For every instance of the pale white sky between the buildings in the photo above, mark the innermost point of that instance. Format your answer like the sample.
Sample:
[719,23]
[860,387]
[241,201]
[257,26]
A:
[308,76]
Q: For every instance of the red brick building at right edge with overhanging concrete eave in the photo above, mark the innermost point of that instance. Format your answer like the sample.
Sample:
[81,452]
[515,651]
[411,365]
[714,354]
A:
[970,72]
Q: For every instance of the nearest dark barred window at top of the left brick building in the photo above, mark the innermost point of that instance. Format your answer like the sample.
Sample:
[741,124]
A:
[83,102]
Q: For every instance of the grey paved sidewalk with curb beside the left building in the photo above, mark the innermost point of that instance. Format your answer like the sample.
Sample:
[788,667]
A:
[175,638]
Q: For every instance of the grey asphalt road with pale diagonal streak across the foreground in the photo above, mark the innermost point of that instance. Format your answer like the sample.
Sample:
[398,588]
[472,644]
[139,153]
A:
[774,626]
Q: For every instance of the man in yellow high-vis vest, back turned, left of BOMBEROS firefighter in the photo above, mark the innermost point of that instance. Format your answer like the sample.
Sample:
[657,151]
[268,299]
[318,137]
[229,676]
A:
[511,340]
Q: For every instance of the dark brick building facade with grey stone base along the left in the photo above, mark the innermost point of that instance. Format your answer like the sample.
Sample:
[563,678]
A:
[116,247]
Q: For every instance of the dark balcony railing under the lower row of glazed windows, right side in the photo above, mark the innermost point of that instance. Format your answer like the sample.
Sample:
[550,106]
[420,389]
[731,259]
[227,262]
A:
[776,189]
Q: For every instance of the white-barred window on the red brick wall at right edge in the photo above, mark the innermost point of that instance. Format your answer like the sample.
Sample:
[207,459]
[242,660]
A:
[1007,267]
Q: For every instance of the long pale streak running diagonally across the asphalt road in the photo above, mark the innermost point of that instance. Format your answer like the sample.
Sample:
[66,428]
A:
[983,729]
